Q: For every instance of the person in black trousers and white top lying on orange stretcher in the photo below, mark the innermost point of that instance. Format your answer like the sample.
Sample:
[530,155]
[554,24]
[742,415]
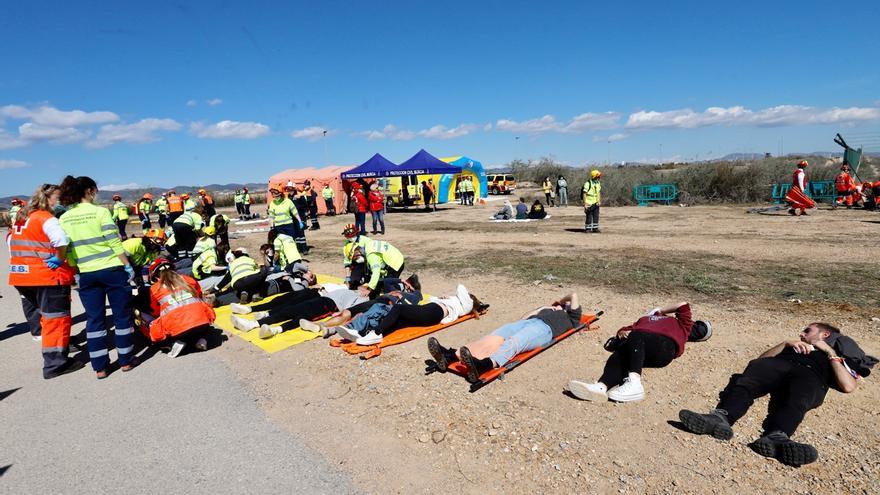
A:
[381,320]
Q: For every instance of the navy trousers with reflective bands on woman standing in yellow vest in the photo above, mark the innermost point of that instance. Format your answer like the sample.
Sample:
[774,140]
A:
[94,287]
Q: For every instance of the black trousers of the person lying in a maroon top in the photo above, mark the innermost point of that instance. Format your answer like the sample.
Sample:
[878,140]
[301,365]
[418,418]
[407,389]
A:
[639,350]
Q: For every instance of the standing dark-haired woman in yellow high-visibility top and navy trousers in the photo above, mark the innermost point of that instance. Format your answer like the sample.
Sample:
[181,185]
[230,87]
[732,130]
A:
[104,272]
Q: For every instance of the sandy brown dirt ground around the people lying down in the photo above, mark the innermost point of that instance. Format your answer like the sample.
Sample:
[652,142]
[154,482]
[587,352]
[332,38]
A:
[758,278]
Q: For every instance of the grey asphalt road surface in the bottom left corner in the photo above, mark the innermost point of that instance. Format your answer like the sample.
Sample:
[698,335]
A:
[180,425]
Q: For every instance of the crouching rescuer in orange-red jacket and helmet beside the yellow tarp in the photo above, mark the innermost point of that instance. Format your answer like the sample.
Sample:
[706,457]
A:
[179,313]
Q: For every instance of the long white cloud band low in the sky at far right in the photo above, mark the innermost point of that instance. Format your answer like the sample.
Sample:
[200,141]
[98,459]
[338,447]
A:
[782,115]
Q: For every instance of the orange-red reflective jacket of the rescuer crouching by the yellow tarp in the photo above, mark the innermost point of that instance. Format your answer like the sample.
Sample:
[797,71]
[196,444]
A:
[178,311]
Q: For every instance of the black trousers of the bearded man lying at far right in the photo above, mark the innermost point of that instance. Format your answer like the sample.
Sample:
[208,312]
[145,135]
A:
[794,389]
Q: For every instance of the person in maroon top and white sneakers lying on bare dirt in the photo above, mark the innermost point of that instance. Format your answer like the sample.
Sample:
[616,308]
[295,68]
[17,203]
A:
[651,342]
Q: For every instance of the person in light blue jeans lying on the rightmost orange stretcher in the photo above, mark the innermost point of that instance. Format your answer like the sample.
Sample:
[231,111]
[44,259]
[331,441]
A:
[535,329]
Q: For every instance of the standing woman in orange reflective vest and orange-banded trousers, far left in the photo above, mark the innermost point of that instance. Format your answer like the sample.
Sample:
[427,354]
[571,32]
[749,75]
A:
[41,275]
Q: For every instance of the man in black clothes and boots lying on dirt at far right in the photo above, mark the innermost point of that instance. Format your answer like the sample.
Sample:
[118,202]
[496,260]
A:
[797,374]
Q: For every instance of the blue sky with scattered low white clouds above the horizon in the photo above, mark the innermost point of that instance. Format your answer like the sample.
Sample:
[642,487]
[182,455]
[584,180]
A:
[197,92]
